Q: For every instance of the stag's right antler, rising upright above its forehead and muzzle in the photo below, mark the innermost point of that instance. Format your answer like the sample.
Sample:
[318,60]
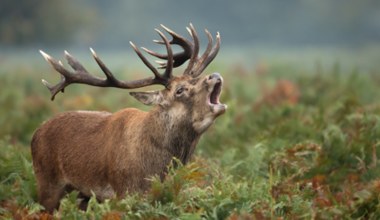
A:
[196,64]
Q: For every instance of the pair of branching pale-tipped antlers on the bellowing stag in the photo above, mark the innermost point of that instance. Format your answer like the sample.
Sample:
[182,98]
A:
[190,52]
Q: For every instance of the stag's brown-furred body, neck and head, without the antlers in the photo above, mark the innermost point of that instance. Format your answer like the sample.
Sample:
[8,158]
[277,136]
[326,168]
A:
[112,154]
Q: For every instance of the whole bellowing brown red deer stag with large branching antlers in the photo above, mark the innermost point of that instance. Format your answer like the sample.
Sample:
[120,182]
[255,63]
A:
[112,154]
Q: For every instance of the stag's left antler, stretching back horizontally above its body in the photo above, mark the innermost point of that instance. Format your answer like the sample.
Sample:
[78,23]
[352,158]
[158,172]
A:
[82,76]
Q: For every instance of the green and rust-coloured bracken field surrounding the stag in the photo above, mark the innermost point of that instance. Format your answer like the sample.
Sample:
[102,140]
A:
[294,144]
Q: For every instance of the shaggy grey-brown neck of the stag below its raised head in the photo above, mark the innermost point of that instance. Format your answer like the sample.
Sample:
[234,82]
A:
[171,133]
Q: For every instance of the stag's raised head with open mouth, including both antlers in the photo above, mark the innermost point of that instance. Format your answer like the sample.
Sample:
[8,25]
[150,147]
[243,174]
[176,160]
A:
[188,96]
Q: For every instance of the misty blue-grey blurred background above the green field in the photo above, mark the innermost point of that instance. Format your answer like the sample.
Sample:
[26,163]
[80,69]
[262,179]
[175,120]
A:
[301,32]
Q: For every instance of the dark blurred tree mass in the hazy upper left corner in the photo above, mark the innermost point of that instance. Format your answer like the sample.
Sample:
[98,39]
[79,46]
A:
[25,22]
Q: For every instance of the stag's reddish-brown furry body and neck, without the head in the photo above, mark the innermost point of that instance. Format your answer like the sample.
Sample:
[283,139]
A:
[119,151]
